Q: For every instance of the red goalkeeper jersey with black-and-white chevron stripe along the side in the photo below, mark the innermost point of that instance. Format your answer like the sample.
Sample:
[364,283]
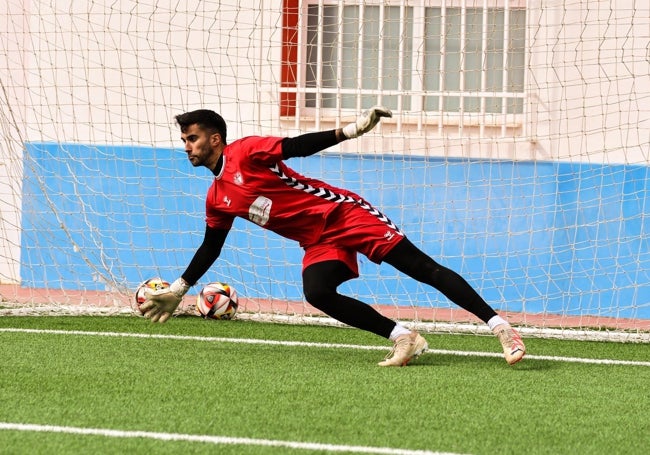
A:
[255,184]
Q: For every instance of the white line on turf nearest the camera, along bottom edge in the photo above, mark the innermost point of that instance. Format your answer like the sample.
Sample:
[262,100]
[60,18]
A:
[212,439]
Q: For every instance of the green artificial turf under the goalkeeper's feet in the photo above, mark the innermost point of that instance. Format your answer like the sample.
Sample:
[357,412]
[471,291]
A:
[332,395]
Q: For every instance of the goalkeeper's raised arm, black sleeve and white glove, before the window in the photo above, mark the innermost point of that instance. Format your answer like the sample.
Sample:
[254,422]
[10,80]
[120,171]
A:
[310,143]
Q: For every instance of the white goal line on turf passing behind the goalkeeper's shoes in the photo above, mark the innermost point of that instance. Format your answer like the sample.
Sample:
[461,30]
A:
[319,345]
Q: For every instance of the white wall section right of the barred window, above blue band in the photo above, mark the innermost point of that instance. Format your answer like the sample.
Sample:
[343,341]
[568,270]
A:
[590,81]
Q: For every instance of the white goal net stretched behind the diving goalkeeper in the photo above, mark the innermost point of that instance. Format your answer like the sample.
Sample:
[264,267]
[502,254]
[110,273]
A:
[518,153]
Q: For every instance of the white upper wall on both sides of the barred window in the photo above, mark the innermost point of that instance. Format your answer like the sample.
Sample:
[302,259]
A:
[94,74]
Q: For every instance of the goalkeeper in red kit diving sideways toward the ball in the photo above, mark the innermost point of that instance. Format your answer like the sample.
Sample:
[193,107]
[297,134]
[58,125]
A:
[331,224]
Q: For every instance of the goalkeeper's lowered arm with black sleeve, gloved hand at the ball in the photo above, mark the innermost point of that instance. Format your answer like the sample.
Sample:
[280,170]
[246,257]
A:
[160,305]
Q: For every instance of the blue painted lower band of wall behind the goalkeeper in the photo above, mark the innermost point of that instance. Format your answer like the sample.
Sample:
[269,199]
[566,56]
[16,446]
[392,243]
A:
[530,236]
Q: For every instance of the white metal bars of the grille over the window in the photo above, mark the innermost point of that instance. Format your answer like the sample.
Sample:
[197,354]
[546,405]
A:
[417,93]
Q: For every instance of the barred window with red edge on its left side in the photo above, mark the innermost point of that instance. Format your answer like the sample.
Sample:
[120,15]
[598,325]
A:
[452,57]
